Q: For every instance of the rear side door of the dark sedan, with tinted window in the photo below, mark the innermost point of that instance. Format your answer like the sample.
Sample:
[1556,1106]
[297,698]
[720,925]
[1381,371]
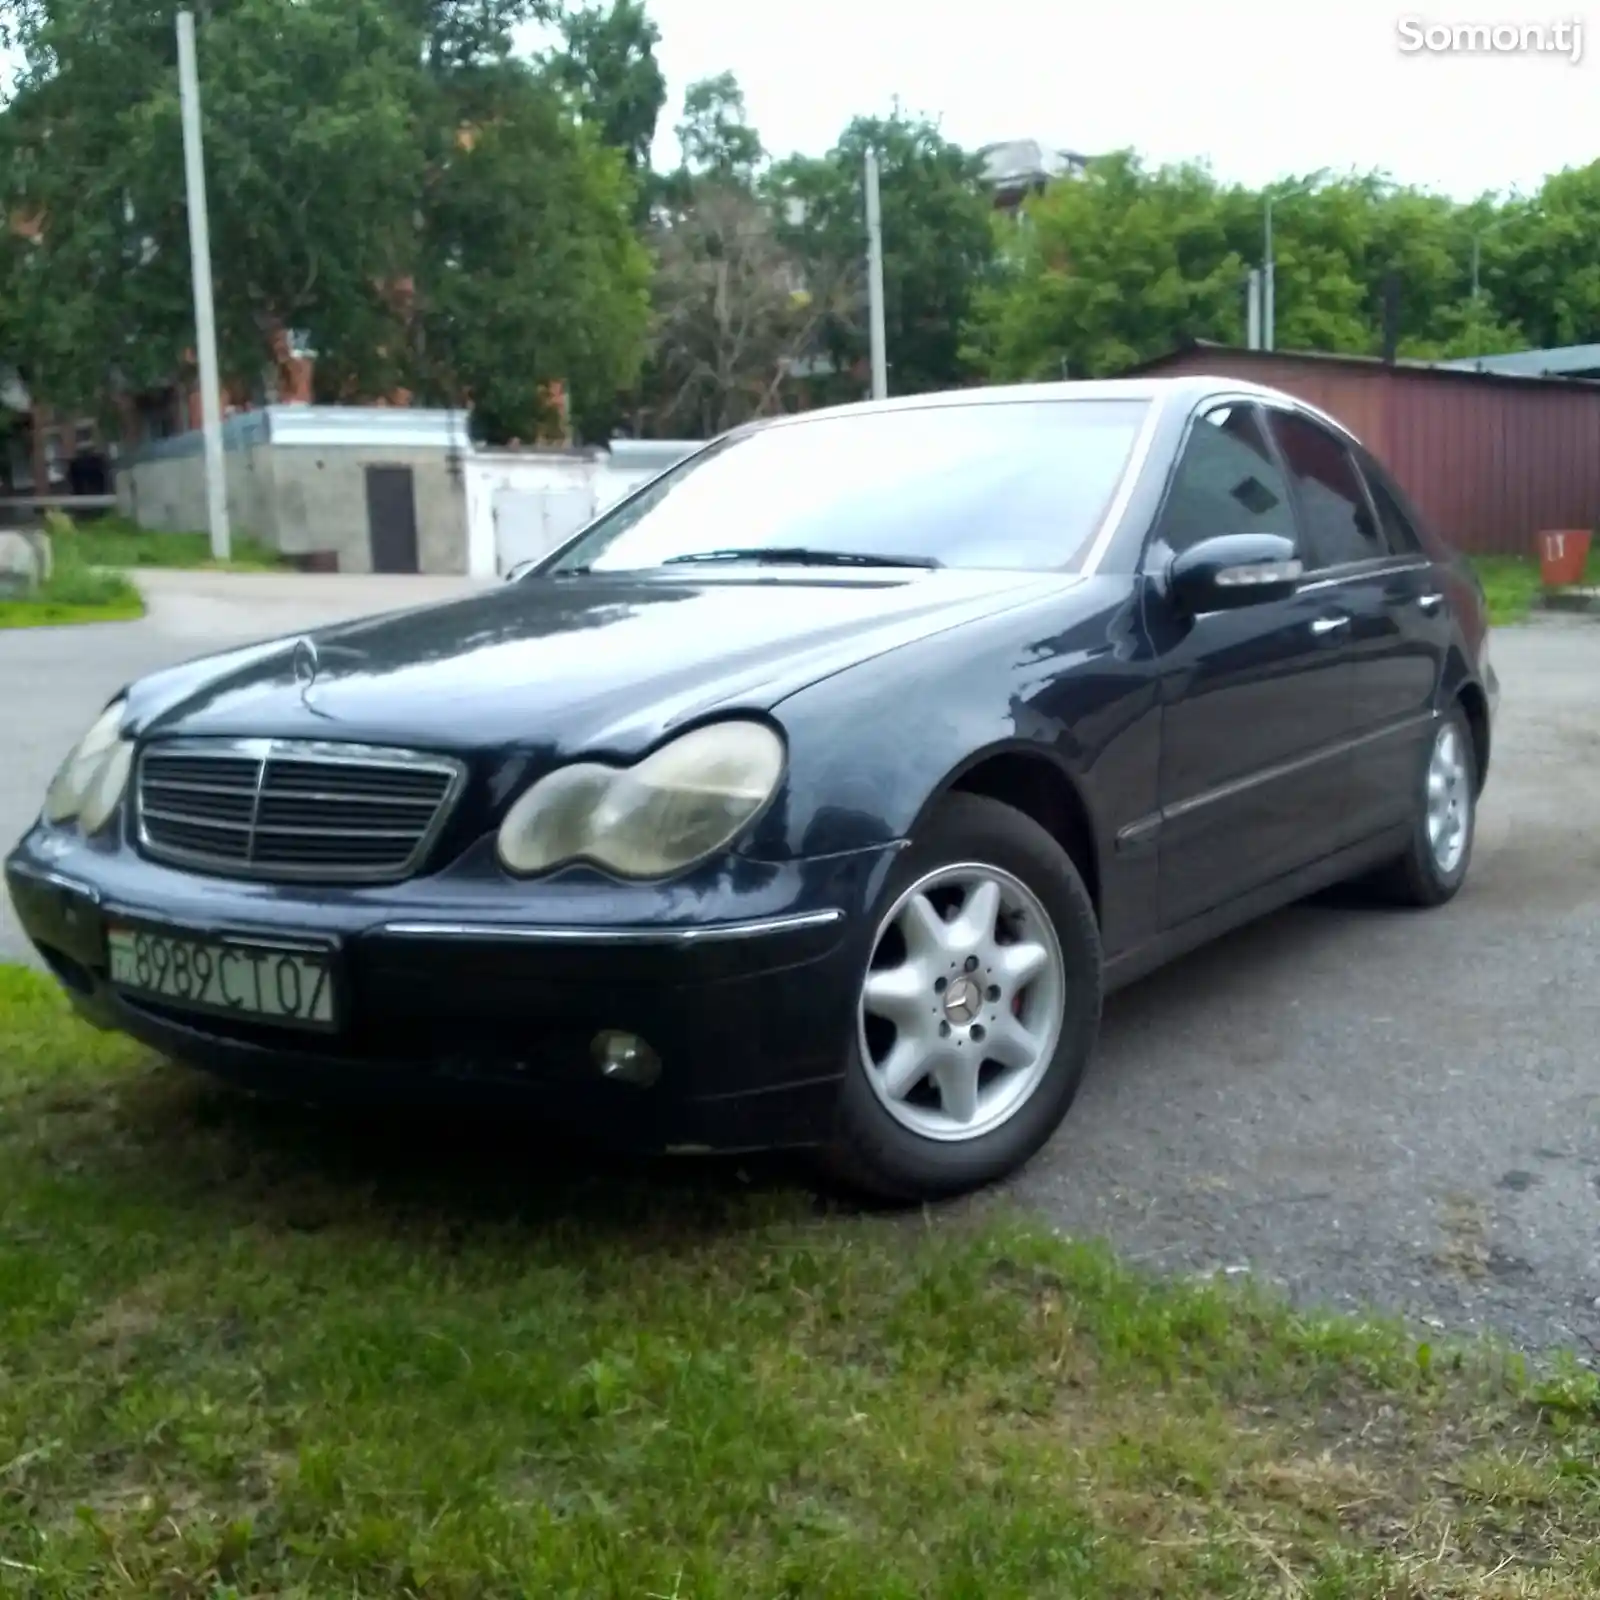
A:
[1370,559]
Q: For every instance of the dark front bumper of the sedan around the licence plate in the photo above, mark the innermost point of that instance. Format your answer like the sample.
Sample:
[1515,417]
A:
[470,988]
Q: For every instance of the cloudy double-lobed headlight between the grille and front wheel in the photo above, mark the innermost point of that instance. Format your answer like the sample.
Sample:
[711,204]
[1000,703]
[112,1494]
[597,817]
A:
[649,822]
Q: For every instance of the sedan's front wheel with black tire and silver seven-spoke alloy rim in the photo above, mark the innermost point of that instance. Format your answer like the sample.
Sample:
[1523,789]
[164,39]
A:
[908,1151]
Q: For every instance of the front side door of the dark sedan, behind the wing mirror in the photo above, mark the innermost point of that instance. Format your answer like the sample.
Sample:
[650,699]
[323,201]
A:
[1257,702]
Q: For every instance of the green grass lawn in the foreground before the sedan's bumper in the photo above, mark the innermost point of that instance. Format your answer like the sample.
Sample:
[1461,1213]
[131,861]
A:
[252,1353]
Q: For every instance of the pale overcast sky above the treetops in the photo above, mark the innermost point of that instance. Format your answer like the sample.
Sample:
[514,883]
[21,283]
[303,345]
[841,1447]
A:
[1258,89]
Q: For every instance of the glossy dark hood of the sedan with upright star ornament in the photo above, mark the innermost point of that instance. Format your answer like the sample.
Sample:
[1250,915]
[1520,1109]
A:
[590,663]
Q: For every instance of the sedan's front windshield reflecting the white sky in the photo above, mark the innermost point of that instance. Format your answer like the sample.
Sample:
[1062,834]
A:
[1002,486]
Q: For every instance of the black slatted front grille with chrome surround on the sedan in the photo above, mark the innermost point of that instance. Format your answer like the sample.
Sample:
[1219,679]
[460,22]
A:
[282,809]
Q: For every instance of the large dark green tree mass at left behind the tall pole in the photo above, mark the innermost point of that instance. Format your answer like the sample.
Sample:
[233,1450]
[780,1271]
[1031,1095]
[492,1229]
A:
[385,180]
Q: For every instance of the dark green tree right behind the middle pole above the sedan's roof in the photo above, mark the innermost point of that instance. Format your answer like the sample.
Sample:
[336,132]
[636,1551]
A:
[938,246]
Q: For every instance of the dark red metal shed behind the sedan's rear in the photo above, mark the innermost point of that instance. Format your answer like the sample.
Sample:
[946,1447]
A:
[1489,458]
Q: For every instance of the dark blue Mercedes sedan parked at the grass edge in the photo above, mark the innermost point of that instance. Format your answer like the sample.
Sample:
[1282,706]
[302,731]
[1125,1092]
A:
[814,796]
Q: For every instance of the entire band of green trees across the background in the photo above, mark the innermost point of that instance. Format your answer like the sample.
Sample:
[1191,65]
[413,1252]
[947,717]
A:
[436,215]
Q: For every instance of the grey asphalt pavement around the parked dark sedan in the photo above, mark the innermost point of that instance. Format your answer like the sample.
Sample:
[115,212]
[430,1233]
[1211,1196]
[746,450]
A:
[1367,1108]
